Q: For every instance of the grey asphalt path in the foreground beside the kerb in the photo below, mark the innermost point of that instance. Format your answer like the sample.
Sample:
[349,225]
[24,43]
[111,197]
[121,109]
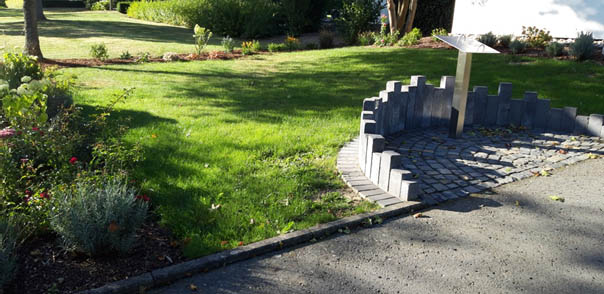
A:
[517,240]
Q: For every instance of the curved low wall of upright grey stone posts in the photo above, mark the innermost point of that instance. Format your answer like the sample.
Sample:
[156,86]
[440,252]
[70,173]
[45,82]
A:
[402,108]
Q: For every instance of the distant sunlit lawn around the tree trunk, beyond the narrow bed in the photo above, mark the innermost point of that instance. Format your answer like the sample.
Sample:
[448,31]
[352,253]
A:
[69,33]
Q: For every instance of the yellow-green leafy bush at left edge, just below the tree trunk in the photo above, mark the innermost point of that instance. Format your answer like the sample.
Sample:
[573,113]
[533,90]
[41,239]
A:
[15,66]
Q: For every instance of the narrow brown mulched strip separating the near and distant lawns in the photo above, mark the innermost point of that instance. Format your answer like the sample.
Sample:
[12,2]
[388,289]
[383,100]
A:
[90,62]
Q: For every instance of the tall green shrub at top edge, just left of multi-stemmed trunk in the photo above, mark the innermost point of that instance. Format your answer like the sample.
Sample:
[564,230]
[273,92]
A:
[357,16]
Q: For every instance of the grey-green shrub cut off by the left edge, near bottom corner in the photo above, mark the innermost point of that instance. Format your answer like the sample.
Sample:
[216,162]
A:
[8,244]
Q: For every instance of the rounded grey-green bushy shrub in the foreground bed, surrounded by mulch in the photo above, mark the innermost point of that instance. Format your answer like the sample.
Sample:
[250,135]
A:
[97,218]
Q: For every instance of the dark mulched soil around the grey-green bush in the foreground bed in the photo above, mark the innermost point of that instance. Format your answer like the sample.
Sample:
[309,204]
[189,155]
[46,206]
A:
[45,267]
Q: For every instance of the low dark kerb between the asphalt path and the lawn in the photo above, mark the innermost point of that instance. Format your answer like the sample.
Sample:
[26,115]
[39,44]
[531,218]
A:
[175,272]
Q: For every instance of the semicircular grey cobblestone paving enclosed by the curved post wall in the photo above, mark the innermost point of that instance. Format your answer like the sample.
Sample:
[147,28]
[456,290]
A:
[485,158]
